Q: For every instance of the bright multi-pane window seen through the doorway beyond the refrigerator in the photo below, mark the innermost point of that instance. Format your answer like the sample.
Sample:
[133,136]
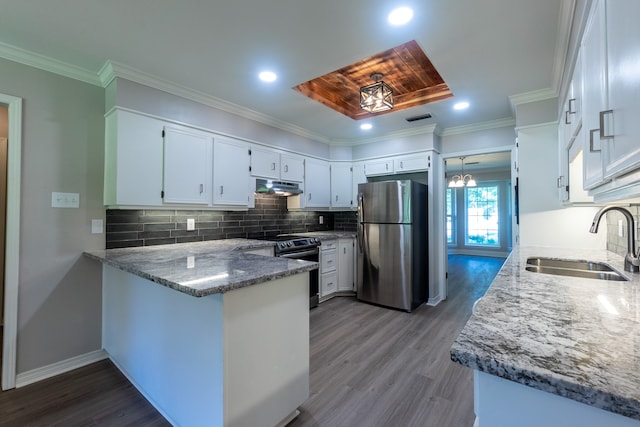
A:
[483,216]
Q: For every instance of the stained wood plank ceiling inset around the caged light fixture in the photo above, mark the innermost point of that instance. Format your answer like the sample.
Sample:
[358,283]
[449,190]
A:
[406,68]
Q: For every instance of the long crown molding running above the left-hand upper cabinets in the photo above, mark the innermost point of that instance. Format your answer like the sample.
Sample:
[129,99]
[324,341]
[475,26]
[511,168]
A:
[112,70]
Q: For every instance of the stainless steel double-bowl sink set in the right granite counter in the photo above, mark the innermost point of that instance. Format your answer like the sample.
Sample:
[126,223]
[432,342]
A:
[574,268]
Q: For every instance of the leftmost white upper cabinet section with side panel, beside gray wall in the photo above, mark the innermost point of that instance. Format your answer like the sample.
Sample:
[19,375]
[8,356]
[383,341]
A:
[133,160]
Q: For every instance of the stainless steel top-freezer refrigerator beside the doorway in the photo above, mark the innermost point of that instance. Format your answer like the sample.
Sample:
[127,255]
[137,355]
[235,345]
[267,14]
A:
[392,244]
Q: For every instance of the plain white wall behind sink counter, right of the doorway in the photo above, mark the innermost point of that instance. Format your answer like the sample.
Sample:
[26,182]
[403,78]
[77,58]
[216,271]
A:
[543,219]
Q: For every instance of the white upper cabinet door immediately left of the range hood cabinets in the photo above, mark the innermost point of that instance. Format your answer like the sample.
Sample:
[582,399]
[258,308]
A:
[230,172]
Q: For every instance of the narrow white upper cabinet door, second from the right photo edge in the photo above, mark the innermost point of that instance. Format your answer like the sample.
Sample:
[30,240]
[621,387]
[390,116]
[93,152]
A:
[593,99]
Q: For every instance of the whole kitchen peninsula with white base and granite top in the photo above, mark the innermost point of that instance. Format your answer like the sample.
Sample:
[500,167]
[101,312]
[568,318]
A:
[211,333]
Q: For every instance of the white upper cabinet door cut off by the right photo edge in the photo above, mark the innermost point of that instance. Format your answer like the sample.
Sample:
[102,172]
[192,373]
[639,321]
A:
[622,150]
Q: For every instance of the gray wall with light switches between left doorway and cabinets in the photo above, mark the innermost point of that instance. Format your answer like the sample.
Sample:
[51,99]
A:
[59,306]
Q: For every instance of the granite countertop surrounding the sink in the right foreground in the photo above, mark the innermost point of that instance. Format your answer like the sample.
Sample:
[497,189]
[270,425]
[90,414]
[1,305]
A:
[577,338]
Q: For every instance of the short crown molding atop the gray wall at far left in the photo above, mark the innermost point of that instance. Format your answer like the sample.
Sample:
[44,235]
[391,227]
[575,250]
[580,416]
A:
[47,63]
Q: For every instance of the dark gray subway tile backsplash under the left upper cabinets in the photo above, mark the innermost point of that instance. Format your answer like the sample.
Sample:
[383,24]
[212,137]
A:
[128,228]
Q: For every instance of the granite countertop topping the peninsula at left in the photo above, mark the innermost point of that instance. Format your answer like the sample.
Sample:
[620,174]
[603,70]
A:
[203,268]
